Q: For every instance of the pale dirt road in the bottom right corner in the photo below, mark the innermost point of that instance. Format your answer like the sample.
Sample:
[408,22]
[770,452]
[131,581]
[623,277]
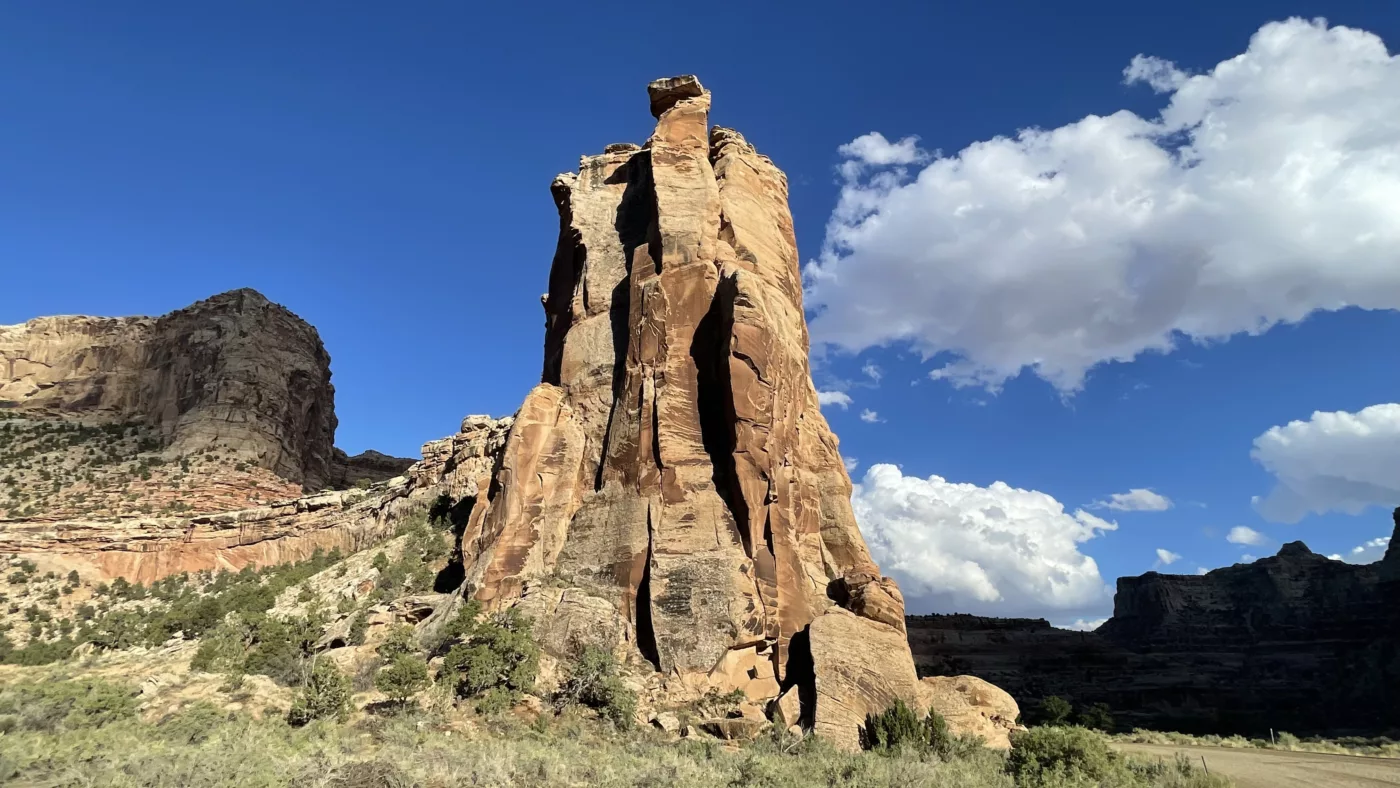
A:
[1280,769]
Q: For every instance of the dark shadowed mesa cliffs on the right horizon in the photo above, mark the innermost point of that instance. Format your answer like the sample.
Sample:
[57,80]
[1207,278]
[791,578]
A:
[1296,642]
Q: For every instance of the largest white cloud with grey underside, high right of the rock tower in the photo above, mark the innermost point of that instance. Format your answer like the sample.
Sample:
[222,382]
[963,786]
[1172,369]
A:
[1268,188]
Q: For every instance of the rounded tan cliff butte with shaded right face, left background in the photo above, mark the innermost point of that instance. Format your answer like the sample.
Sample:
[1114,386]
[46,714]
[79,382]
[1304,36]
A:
[234,373]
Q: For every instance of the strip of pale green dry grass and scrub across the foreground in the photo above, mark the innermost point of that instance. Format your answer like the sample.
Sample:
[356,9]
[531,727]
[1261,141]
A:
[205,745]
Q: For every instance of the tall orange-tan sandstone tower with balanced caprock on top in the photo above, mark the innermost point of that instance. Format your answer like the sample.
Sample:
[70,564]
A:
[671,491]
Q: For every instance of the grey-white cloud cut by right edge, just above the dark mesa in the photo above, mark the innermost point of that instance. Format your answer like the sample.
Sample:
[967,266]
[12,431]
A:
[1332,463]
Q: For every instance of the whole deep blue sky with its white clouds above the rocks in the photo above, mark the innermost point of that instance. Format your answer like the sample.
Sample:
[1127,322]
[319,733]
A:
[384,174]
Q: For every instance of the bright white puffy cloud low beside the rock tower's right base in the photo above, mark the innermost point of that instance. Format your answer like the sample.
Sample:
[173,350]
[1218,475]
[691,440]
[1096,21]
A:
[996,551]
